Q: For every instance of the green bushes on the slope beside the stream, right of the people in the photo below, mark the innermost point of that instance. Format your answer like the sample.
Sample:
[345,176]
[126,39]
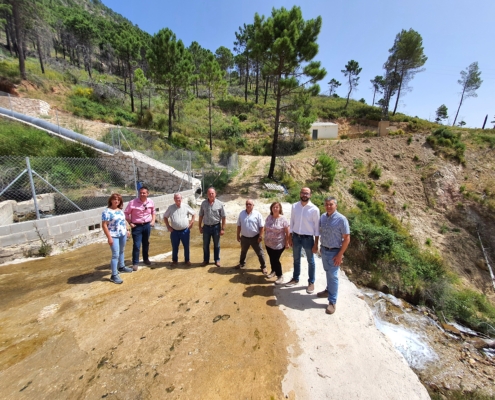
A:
[386,249]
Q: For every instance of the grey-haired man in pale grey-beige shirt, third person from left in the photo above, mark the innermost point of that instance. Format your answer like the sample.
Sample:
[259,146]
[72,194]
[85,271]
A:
[177,220]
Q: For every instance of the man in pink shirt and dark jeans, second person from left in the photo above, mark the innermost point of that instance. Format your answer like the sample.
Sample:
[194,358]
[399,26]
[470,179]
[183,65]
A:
[140,213]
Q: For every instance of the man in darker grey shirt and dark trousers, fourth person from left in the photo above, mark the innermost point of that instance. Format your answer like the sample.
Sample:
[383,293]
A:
[211,225]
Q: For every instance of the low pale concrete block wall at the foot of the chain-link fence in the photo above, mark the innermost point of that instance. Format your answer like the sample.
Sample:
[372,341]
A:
[64,231]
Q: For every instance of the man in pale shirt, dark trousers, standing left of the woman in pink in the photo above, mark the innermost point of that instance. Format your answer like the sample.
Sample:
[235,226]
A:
[250,226]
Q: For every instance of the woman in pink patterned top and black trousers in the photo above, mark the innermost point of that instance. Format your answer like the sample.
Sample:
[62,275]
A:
[276,239]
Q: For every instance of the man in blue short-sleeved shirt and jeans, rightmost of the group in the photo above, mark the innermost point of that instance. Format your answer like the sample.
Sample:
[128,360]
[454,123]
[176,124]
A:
[334,239]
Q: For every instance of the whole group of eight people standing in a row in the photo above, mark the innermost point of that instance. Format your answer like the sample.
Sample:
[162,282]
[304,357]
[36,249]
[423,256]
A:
[305,231]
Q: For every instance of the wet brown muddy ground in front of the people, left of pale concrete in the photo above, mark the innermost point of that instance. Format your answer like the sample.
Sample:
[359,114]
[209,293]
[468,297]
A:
[66,331]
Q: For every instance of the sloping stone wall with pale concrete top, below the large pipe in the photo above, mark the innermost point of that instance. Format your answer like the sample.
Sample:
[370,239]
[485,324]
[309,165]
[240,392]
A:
[152,172]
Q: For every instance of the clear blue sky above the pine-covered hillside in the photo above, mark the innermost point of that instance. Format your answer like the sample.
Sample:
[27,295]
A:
[455,34]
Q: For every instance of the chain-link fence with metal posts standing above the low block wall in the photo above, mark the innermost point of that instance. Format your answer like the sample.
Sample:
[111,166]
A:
[43,187]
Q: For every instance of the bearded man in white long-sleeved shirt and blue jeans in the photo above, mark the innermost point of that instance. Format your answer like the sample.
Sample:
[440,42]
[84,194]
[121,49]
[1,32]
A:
[305,233]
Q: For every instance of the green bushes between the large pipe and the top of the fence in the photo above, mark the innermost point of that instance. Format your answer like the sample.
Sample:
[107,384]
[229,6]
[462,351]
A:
[17,139]
